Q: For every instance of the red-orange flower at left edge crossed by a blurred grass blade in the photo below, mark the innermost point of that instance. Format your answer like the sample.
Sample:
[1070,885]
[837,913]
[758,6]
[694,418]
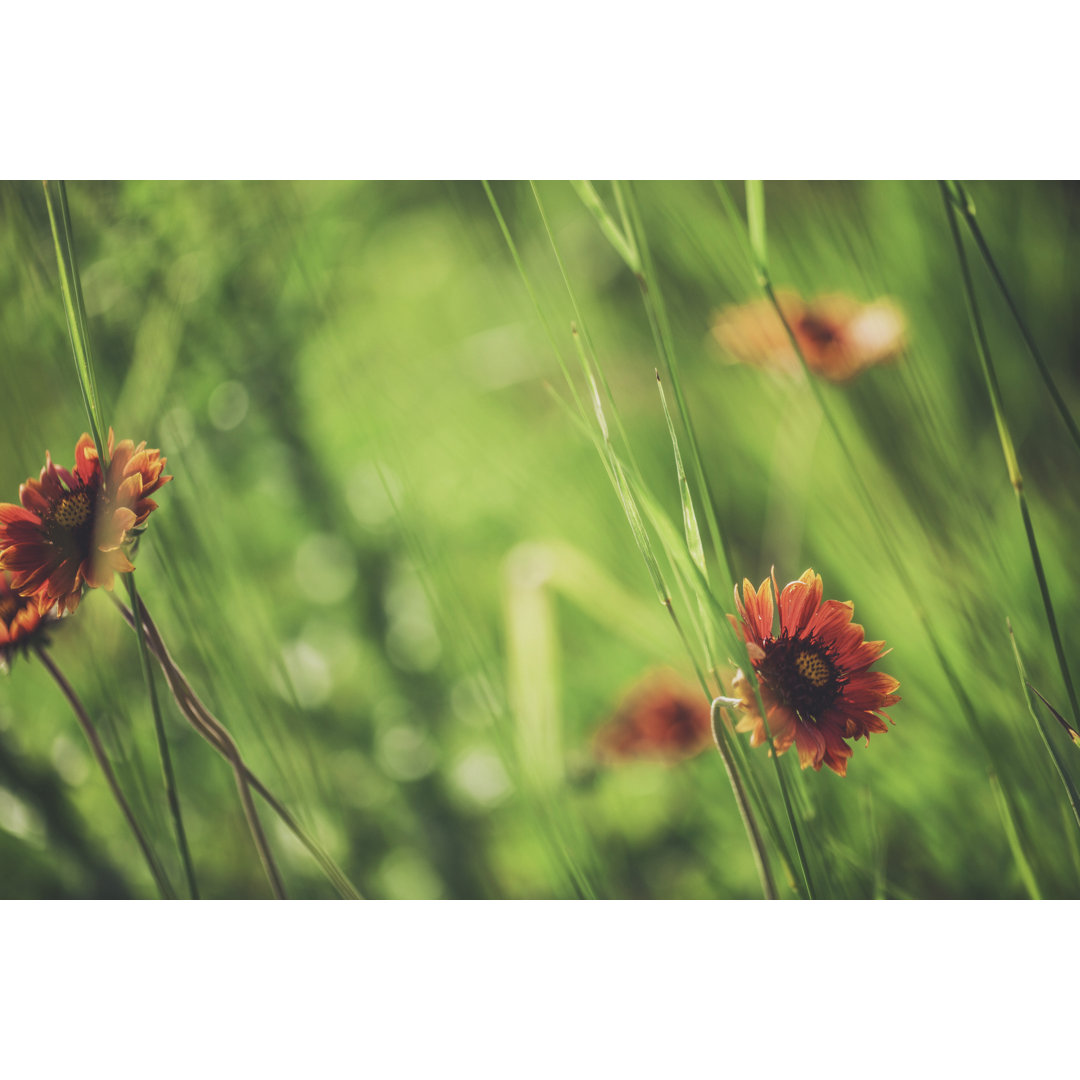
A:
[73,528]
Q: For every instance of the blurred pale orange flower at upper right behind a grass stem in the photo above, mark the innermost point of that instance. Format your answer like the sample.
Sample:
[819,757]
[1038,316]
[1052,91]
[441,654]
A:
[838,335]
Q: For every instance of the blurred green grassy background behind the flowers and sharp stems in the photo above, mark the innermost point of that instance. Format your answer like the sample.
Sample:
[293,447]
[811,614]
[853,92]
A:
[350,384]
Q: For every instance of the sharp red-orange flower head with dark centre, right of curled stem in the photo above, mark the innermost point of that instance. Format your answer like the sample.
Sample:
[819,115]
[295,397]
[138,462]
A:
[815,676]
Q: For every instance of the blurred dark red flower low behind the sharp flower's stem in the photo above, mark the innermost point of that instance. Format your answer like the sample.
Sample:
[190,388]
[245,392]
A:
[661,718]
